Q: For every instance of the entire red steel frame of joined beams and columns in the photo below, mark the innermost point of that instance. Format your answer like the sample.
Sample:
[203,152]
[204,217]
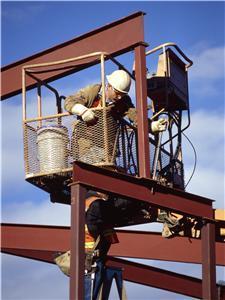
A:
[18,239]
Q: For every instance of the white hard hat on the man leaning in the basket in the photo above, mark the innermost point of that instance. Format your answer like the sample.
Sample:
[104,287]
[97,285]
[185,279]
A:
[120,80]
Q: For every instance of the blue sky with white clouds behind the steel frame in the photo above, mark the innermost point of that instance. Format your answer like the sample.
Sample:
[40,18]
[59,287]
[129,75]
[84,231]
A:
[30,27]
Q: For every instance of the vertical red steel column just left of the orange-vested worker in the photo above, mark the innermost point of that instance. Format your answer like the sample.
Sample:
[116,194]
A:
[78,193]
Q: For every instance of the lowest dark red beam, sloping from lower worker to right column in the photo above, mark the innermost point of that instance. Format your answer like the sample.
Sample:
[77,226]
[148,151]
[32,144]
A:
[158,278]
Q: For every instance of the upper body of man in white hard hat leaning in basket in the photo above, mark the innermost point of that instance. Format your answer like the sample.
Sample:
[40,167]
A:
[117,100]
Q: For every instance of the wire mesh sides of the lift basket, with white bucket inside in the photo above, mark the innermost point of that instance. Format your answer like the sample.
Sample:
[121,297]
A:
[51,146]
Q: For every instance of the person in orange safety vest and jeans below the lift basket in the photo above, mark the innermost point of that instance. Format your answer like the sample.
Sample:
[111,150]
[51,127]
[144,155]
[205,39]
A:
[102,213]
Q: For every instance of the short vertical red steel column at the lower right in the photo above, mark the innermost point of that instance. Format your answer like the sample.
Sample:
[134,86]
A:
[209,290]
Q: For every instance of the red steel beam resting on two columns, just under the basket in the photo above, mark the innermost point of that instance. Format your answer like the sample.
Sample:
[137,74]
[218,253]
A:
[141,189]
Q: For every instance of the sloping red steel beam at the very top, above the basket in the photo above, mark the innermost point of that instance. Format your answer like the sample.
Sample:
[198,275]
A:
[115,38]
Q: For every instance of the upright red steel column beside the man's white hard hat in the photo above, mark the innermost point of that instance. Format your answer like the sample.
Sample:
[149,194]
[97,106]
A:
[142,115]
